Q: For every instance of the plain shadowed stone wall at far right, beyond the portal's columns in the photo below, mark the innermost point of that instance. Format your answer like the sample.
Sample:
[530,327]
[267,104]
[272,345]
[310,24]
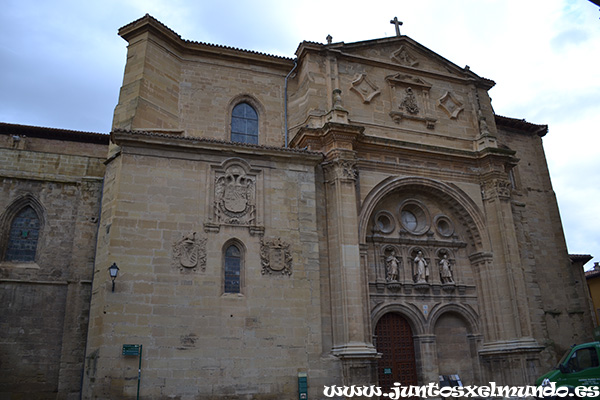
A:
[559,308]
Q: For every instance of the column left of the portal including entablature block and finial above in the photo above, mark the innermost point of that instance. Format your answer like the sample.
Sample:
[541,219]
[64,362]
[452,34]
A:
[352,341]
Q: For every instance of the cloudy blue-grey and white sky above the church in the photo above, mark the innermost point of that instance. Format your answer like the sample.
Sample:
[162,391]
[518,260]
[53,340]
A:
[61,64]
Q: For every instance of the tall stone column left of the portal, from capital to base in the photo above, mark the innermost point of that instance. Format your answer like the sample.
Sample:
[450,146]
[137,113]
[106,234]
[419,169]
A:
[351,322]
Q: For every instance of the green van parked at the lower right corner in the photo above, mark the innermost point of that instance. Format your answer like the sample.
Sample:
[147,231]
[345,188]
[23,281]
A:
[577,373]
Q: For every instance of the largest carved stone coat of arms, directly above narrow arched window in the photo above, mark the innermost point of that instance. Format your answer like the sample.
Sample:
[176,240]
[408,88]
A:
[235,197]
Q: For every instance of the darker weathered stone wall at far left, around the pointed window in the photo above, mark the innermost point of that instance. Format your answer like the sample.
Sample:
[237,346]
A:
[46,300]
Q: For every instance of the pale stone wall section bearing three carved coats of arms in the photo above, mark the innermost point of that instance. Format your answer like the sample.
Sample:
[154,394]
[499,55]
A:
[198,340]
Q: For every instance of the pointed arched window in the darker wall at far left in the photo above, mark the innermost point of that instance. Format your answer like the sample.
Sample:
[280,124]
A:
[23,236]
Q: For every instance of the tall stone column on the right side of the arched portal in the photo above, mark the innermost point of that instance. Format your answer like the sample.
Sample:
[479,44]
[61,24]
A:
[503,292]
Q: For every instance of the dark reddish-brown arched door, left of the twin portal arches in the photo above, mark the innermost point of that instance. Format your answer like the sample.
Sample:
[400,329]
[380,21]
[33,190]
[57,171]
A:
[394,340]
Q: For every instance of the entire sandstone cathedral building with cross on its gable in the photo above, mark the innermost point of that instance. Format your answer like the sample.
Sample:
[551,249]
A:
[259,227]
